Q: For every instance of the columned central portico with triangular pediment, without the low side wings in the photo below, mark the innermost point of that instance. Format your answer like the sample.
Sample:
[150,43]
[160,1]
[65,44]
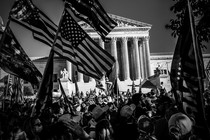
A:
[129,45]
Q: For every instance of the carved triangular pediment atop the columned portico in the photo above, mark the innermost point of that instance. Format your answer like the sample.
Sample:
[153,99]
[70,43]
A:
[122,22]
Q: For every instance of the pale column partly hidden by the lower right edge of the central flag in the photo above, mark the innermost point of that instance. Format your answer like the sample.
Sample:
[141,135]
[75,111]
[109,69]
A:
[114,54]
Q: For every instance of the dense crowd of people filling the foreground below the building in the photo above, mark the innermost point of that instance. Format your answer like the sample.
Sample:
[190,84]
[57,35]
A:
[100,116]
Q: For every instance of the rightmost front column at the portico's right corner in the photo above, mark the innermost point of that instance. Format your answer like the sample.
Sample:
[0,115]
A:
[147,49]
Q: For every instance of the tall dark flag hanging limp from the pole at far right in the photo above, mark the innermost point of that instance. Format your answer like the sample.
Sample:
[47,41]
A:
[186,71]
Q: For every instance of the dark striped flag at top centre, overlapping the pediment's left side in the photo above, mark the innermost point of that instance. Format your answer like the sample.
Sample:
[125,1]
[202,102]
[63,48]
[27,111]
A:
[92,12]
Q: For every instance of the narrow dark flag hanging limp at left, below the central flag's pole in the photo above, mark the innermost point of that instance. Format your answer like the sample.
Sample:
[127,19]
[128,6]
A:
[44,95]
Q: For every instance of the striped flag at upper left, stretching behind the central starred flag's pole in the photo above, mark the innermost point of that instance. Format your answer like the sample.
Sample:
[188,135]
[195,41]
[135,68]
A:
[26,14]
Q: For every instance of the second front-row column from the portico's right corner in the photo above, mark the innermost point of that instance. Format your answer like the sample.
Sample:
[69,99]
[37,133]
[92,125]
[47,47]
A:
[137,61]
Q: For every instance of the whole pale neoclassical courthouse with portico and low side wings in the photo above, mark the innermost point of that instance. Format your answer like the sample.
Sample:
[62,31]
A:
[129,45]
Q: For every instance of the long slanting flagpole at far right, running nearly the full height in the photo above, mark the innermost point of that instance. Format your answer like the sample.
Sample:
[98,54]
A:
[195,47]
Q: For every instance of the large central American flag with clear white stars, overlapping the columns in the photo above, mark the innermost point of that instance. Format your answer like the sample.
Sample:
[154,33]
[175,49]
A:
[92,59]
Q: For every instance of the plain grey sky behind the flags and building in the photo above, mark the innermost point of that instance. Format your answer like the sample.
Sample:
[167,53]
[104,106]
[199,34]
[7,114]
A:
[154,12]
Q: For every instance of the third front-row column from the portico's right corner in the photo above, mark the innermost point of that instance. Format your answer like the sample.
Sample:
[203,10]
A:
[125,58]
